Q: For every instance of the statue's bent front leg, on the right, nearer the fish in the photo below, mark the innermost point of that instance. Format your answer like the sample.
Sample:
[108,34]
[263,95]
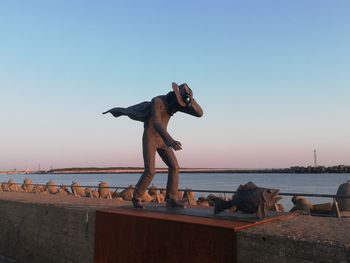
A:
[169,158]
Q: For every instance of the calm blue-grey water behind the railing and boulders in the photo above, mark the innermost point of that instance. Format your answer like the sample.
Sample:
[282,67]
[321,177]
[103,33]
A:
[300,183]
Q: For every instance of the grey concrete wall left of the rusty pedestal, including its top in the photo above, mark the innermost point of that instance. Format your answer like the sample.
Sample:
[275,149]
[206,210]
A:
[40,228]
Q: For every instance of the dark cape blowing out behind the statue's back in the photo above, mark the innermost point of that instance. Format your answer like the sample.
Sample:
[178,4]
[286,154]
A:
[138,112]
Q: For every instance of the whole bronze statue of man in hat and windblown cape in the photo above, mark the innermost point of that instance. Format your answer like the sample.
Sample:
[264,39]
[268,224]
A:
[156,115]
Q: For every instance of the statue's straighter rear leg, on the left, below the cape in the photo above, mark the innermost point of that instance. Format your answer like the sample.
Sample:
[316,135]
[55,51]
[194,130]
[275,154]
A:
[149,153]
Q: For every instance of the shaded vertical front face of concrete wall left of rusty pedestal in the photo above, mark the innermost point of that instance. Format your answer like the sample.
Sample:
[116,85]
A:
[46,233]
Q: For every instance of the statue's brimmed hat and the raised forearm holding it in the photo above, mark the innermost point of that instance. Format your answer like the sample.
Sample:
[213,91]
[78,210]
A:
[184,97]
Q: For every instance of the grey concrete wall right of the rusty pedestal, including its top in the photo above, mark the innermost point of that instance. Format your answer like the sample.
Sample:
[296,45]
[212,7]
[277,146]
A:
[302,239]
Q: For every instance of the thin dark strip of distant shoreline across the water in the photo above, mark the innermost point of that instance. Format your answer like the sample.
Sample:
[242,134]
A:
[133,170]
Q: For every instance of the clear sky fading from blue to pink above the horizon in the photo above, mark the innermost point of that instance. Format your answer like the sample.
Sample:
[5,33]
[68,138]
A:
[273,78]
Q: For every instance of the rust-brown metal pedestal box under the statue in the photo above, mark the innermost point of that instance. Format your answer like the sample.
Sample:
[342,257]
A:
[129,235]
